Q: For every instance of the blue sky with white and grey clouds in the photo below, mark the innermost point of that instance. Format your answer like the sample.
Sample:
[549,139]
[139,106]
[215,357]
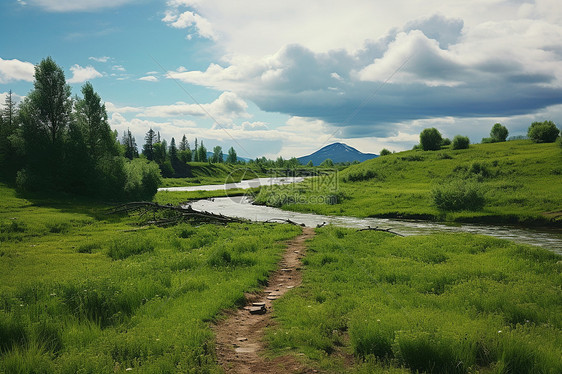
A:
[284,78]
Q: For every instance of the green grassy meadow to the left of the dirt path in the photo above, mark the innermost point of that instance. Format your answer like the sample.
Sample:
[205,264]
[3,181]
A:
[86,292]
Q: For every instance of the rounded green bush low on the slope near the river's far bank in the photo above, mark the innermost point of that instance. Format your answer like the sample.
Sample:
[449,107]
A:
[458,195]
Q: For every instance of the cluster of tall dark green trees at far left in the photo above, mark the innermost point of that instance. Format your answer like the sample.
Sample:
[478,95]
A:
[53,142]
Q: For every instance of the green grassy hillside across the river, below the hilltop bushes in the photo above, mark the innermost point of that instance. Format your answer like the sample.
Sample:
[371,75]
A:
[521,181]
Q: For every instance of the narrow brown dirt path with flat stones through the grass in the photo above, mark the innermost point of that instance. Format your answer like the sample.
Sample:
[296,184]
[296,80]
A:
[240,336]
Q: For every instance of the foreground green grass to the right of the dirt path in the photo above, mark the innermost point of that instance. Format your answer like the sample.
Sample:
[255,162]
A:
[374,302]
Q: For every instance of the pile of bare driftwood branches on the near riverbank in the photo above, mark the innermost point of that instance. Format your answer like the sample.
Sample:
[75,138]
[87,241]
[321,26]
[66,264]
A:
[175,214]
